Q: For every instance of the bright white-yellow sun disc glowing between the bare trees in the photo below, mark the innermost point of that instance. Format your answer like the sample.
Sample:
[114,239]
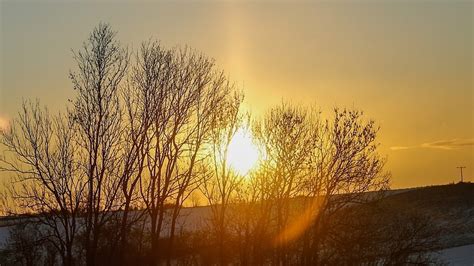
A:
[242,154]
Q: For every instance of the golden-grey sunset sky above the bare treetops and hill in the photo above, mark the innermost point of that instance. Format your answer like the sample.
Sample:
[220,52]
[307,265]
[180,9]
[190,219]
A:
[407,64]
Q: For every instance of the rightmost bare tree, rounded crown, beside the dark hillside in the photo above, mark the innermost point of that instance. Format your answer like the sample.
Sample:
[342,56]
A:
[344,165]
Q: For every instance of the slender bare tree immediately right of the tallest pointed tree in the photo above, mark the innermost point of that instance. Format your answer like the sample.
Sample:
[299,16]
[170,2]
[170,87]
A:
[142,101]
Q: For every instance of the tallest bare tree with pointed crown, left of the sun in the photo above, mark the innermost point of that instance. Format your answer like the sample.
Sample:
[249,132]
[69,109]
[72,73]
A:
[97,113]
